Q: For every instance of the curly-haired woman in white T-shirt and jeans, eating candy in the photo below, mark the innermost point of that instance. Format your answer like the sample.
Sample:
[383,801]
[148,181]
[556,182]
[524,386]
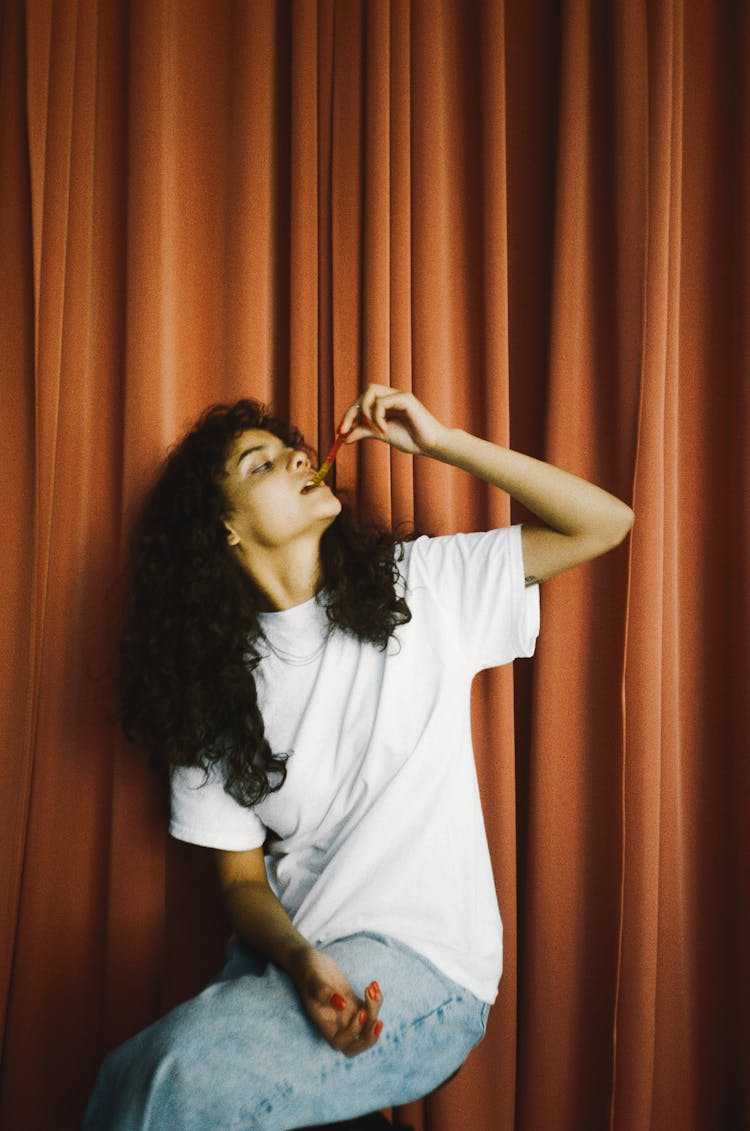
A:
[309,687]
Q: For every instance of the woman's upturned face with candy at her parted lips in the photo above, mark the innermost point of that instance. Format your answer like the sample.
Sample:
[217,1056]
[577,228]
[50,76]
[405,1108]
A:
[268,505]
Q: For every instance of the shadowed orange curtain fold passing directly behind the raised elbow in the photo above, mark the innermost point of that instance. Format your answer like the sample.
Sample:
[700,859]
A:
[568,936]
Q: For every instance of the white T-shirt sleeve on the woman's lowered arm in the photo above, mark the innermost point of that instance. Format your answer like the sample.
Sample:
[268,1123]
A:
[204,814]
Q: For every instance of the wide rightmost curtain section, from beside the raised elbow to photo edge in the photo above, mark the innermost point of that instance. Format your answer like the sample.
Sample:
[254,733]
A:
[686,897]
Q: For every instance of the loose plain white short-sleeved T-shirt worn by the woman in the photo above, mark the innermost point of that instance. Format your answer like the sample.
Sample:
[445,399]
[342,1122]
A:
[380,826]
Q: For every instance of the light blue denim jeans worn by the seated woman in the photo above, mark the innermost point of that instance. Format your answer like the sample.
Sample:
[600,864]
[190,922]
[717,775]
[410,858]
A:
[244,1056]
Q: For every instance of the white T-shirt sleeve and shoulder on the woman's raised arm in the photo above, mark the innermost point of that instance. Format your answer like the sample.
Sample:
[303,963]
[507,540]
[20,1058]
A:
[478,582]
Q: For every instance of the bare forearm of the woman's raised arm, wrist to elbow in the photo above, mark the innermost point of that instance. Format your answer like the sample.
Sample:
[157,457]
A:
[563,502]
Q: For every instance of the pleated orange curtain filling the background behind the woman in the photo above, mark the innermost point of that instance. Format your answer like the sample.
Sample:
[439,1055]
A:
[535,213]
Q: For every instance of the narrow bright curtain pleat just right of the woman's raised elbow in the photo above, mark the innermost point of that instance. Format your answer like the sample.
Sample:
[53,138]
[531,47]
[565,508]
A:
[650,706]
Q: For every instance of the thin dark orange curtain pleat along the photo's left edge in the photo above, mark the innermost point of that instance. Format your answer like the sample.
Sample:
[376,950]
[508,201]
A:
[18,586]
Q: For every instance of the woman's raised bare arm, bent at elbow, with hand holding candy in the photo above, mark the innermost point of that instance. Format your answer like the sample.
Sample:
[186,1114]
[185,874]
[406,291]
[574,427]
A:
[577,521]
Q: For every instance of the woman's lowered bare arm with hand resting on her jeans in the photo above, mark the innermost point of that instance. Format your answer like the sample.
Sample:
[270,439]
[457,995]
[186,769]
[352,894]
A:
[349,1023]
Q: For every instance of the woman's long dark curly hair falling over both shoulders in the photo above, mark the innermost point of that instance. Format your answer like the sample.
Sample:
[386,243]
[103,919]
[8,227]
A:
[189,635]
